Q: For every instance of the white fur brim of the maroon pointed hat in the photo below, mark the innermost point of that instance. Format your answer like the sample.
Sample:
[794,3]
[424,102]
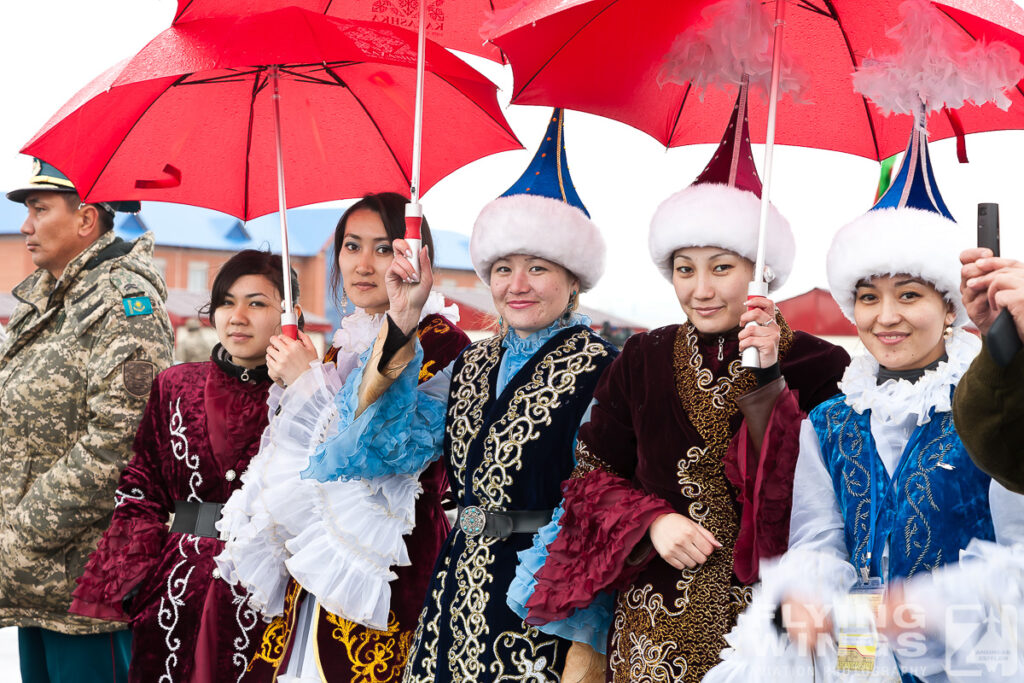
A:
[716,216]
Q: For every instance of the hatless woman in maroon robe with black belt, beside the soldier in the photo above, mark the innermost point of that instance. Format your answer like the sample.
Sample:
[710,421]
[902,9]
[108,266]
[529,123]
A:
[202,426]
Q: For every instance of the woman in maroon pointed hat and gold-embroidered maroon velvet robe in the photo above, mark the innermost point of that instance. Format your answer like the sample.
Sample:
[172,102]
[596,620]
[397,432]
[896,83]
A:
[685,472]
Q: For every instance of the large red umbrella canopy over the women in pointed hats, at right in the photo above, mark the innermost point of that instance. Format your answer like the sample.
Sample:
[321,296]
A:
[609,58]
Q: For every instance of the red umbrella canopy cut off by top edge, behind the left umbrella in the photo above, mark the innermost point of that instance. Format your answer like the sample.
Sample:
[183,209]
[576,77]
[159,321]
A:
[454,24]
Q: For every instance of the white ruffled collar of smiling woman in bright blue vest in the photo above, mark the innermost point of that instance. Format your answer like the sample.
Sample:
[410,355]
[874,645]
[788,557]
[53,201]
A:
[894,401]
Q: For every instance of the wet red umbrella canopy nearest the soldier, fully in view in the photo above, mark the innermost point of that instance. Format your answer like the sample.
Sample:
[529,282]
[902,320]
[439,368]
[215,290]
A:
[190,119]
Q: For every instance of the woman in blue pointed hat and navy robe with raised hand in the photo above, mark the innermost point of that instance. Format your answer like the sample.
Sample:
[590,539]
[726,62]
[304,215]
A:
[505,414]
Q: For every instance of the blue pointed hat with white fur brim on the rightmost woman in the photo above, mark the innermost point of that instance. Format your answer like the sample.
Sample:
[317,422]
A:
[910,231]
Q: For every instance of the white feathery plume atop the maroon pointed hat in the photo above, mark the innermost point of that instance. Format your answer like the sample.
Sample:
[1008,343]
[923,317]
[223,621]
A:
[735,39]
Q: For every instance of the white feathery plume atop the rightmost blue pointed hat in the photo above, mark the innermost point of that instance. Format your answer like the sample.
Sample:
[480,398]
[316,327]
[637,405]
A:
[937,66]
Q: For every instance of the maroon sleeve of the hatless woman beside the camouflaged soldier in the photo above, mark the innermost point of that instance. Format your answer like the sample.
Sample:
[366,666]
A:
[130,551]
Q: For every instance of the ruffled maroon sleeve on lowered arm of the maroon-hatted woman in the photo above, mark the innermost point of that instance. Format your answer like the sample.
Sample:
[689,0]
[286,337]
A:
[606,519]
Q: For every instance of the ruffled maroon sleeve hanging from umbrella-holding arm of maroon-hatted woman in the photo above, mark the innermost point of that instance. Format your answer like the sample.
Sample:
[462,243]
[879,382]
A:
[763,481]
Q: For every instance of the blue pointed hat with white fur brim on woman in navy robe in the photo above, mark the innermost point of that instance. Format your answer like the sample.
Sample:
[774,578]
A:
[541,216]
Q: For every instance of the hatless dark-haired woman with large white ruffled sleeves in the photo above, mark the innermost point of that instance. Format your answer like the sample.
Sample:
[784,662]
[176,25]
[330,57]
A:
[286,534]
